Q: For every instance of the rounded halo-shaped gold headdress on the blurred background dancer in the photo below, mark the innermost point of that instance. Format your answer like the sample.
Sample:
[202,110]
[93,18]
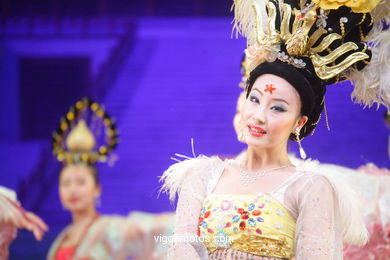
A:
[74,142]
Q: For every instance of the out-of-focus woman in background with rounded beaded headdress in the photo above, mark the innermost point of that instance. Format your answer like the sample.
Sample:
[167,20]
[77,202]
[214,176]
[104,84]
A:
[90,235]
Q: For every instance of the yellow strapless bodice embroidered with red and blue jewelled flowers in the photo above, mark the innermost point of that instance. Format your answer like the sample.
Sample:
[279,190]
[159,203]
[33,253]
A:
[255,224]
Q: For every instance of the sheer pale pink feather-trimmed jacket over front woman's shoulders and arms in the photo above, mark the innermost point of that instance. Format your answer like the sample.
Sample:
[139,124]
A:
[325,208]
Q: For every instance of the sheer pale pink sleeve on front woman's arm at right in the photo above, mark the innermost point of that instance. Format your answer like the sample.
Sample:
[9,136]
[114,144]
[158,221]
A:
[318,233]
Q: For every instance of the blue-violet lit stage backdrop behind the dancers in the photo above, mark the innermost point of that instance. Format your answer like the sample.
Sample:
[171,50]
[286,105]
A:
[165,81]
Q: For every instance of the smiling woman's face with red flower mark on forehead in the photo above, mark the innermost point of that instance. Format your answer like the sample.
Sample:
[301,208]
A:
[271,112]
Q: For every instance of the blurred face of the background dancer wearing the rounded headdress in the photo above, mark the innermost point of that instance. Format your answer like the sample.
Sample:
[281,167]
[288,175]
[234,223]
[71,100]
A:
[78,188]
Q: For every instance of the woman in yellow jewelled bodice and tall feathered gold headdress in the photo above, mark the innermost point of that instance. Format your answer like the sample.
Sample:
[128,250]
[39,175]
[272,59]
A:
[265,207]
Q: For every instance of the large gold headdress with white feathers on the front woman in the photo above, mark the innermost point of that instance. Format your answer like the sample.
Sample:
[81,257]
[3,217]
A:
[334,40]
